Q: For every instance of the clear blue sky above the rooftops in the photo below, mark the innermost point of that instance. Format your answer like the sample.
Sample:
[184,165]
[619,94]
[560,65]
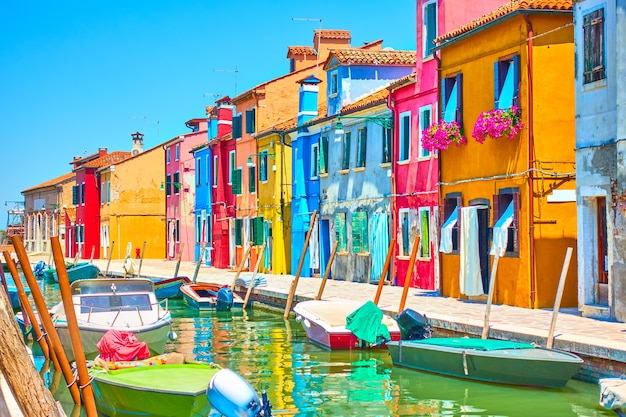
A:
[81,75]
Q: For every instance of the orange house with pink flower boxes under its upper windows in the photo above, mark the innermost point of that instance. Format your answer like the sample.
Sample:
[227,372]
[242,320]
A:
[509,190]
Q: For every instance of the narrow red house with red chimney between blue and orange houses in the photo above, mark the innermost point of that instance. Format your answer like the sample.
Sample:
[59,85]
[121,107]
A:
[222,148]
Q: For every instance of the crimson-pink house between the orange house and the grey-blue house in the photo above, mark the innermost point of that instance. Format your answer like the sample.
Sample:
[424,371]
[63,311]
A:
[415,169]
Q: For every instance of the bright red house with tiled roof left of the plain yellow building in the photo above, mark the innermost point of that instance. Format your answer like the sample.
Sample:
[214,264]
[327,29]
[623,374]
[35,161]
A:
[82,220]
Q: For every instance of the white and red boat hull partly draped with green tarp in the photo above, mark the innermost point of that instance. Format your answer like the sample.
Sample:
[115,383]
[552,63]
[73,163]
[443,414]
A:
[325,324]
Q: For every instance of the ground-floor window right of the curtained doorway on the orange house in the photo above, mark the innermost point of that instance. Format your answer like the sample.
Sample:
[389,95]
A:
[506,216]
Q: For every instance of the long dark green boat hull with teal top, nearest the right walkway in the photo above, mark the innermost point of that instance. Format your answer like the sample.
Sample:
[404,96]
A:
[515,366]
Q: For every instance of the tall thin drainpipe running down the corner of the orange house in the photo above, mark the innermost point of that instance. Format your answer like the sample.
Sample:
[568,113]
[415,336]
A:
[531,164]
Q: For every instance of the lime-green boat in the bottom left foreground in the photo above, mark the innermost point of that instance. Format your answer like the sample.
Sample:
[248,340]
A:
[158,390]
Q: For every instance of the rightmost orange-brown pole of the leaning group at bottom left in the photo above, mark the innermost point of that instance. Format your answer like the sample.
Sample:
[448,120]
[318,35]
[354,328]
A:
[72,325]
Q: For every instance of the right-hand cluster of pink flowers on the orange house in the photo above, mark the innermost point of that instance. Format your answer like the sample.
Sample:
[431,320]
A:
[498,123]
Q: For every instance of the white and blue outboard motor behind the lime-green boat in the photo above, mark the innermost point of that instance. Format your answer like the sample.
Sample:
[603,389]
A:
[232,396]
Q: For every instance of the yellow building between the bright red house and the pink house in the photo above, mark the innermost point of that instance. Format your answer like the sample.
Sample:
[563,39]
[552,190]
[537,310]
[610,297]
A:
[132,206]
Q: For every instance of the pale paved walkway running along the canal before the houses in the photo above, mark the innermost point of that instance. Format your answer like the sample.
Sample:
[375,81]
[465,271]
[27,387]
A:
[601,343]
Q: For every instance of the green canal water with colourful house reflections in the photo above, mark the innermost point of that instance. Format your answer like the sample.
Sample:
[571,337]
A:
[302,379]
